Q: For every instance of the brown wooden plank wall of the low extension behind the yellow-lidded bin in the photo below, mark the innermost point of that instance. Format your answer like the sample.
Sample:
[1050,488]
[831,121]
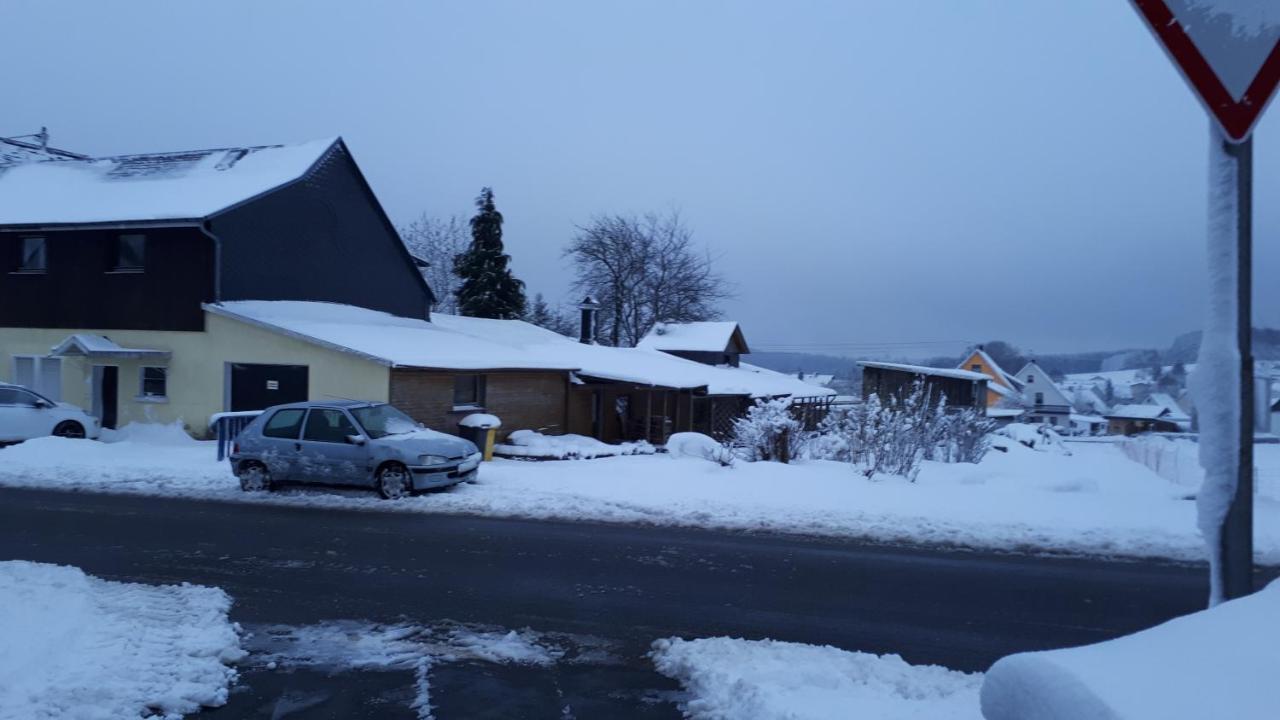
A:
[536,400]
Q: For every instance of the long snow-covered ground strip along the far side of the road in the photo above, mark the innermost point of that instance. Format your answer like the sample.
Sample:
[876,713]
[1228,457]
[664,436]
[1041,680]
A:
[1092,502]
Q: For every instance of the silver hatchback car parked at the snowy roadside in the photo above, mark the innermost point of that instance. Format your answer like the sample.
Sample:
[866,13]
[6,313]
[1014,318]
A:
[350,443]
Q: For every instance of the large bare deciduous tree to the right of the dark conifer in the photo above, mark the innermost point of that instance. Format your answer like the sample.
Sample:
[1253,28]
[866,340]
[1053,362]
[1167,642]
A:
[644,271]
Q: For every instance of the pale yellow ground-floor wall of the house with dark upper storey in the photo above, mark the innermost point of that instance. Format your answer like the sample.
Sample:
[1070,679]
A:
[198,368]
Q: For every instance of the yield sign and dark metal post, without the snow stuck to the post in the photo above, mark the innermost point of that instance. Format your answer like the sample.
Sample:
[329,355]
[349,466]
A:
[1231,58]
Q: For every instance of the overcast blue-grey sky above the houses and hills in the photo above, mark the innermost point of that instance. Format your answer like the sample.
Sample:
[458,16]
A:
[866,172]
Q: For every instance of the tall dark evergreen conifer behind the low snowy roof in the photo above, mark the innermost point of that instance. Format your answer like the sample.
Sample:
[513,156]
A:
[488,289]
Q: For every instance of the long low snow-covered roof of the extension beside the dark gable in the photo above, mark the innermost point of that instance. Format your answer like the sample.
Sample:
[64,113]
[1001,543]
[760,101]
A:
[452,343]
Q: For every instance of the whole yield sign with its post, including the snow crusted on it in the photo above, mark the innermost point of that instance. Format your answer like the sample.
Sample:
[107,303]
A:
[1229,52]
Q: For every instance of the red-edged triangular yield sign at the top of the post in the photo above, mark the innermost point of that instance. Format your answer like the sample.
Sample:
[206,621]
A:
[1228,51]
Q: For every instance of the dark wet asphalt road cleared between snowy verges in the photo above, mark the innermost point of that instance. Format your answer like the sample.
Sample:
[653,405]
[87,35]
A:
[620,586]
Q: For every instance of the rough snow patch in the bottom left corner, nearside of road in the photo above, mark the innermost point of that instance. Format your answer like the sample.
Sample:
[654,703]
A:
[76,646]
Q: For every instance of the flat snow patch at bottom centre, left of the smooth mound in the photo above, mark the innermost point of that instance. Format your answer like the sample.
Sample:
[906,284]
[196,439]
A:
[769,680]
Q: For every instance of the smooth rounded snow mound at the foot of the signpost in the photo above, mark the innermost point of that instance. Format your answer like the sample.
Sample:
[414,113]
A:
[1218,663]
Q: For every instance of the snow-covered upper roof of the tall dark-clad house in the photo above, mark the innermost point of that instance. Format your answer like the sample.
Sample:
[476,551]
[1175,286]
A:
[161,186]
